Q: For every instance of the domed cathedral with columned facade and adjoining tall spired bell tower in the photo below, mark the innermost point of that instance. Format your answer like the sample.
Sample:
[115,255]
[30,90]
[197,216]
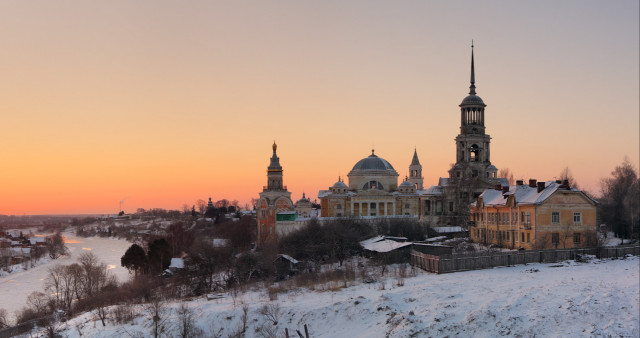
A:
[373,189]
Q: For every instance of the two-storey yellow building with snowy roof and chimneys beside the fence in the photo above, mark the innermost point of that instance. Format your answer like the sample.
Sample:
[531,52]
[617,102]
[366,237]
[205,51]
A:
[540,215]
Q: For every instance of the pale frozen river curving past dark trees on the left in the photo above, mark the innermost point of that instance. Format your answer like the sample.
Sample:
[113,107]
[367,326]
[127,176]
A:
[15,287]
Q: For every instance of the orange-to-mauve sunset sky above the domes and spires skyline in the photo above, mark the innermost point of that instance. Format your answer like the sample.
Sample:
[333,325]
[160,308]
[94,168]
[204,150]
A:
[161,103]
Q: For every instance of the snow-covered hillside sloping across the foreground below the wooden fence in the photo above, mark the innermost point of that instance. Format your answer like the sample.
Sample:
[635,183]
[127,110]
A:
[598,298]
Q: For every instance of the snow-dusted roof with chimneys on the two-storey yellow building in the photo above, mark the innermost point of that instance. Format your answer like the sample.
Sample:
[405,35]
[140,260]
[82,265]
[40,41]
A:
[524,194]
